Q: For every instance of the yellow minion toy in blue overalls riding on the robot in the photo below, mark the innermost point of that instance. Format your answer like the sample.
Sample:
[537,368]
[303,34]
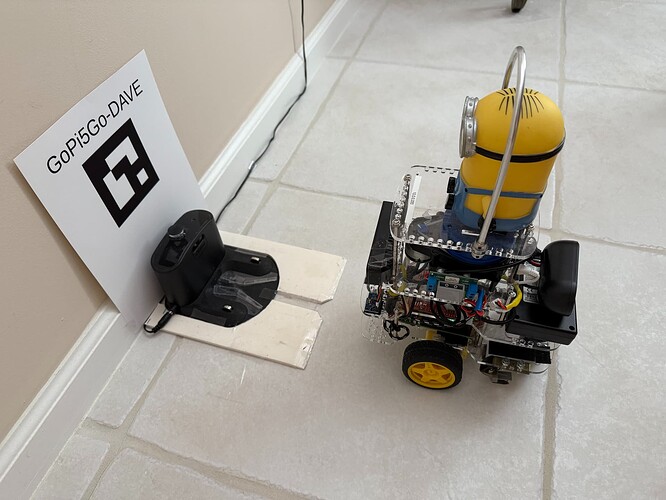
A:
[483,136]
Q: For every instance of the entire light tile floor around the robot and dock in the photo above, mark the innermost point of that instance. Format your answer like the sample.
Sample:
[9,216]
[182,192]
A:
[178,421]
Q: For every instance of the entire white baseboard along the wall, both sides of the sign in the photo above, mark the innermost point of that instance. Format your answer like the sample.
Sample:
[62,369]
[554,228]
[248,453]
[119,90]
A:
[37,438]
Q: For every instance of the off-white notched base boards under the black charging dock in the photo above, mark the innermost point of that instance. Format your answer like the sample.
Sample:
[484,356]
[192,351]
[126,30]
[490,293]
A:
[282,332]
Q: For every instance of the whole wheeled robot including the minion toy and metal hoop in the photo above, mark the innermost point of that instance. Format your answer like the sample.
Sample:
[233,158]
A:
[454,265]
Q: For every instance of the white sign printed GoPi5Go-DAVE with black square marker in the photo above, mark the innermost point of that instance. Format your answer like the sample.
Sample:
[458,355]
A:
[113,175]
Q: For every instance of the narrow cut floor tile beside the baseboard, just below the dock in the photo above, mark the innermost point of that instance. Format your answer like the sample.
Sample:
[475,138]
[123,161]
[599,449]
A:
[130,379]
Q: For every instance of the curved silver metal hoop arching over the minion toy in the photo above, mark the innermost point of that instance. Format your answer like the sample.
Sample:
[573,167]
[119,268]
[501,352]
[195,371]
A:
[517,59]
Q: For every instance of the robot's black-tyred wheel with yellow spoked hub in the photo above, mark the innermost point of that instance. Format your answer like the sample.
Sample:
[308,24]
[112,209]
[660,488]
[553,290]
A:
[432,364]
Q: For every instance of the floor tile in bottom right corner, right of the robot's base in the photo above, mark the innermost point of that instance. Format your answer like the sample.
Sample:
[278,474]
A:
[610,439]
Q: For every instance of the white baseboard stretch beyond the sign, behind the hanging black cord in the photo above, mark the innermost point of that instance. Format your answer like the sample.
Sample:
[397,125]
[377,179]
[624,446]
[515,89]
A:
[221,181]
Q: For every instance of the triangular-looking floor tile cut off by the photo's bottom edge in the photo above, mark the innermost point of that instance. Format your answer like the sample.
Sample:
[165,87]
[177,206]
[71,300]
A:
[133,475]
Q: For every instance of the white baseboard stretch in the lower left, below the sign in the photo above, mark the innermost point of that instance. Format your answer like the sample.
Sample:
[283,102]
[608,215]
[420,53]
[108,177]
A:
[35,441]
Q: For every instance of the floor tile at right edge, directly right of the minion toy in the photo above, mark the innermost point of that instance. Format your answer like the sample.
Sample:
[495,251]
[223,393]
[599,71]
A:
[612,187]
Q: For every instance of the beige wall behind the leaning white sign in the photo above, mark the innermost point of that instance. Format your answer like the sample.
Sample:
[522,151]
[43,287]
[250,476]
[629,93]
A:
[212,59]
